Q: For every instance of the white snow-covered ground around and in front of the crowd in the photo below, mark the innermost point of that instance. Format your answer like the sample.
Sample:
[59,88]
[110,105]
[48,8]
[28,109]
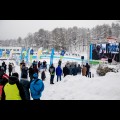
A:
[80,87]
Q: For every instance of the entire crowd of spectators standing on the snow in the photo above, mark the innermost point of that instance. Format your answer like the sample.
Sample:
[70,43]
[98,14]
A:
[20,87]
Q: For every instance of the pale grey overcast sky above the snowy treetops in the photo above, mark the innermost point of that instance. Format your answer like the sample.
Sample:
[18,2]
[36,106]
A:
[12,29]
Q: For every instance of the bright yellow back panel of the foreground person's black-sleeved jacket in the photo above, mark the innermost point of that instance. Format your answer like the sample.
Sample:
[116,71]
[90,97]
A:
[11,92]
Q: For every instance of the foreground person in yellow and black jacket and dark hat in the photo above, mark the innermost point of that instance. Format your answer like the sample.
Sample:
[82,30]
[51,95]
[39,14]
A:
[13,90]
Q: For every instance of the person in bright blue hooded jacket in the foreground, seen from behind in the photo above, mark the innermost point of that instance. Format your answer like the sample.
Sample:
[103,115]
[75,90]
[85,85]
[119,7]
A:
[36,87]
